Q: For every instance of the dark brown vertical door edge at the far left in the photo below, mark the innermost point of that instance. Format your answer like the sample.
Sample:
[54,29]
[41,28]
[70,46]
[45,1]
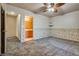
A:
[2,30]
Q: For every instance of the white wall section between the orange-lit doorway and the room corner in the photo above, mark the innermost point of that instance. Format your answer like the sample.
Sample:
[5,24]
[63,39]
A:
[41,28]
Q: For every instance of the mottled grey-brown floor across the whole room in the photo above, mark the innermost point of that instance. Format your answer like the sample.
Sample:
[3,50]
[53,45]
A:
[42,47]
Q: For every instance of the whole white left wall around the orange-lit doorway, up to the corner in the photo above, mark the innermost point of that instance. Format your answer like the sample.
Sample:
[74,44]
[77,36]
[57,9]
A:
[40,23]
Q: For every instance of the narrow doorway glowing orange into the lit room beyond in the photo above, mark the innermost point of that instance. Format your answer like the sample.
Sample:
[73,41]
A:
[28,27]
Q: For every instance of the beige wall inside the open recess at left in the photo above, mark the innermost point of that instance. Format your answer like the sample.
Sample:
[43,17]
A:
[11,26]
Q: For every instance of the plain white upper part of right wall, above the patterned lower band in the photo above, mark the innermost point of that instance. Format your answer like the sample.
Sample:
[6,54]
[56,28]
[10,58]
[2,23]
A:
[66,21]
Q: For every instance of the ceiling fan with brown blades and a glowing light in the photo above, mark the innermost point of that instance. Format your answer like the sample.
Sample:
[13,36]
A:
[50,7]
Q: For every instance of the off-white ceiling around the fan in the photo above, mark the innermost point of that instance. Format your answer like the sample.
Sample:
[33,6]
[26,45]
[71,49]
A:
[66,8]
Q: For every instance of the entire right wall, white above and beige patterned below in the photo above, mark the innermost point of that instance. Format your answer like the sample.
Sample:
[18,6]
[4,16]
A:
[66,26]
